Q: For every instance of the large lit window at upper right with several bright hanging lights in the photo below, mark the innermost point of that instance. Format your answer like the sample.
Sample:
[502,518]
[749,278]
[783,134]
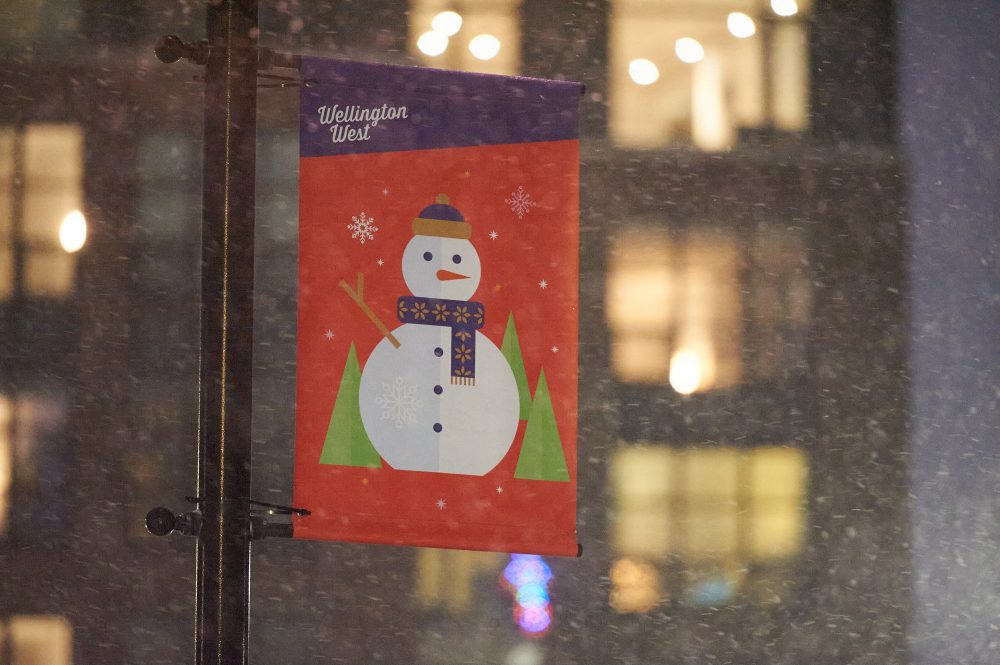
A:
[722,67]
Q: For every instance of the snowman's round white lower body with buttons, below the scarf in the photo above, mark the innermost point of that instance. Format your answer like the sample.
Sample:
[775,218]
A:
[418,420]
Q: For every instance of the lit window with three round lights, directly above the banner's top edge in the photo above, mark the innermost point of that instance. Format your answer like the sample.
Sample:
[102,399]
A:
[473,35]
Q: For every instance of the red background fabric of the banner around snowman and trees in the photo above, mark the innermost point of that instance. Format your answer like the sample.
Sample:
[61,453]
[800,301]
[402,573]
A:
[494,511]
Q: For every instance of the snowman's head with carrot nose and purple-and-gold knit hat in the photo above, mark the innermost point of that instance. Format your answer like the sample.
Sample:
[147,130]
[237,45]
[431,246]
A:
[439,261]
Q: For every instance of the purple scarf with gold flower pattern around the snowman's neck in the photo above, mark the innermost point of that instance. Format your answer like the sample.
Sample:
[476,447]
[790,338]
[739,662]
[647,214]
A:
[464,317]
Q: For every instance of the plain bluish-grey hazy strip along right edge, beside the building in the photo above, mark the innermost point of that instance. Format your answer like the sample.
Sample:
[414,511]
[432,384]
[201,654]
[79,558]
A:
[950,129]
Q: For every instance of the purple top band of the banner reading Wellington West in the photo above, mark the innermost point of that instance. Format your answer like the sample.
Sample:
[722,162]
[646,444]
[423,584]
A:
[355,107]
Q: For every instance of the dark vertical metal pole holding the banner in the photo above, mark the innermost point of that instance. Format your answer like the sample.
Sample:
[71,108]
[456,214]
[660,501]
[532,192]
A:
[224,467]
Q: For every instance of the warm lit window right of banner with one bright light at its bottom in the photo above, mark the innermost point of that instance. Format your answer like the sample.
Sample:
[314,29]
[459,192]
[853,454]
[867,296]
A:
[673,305]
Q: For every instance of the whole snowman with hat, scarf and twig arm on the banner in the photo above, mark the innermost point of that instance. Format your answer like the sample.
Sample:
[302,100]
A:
[436,394]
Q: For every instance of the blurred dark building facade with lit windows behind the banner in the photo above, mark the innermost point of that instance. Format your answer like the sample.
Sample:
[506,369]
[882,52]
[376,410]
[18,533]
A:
[742,473]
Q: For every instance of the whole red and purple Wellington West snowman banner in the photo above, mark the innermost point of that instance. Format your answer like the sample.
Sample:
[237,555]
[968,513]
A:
[436,389]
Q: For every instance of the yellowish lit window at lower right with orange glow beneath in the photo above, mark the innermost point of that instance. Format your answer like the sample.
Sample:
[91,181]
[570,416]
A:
[716,511]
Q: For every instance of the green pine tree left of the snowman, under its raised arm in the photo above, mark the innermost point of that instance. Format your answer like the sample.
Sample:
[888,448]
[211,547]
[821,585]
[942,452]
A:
[347,443]
